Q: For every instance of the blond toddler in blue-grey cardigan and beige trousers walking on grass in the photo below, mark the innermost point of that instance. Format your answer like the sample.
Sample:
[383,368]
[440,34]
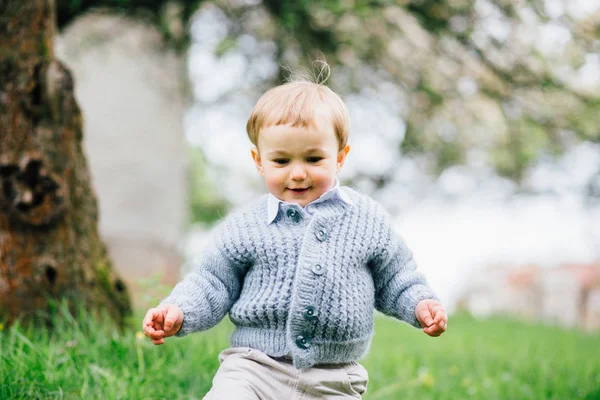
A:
[301,269]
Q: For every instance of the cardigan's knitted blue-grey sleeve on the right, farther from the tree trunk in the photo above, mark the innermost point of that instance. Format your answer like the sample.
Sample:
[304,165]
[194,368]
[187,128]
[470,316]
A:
[399,287]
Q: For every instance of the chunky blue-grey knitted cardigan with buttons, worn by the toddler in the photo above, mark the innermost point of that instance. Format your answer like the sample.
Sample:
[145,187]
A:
[305,285]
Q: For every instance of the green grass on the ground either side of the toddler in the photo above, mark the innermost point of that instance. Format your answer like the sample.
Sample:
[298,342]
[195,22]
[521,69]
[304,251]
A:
[475,359]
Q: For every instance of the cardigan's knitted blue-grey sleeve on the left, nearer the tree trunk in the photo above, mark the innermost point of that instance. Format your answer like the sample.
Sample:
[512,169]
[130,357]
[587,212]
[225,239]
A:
[207,293]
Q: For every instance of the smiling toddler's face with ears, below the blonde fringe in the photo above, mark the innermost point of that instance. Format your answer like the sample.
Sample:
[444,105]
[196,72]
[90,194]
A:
[299,164]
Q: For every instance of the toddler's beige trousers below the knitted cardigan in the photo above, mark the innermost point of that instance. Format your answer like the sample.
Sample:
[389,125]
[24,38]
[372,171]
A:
[249,374]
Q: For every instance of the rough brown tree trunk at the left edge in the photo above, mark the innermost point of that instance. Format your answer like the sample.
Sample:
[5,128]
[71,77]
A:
[49,243]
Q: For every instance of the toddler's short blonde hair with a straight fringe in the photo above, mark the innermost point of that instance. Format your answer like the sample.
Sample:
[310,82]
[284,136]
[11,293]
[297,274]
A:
[295,103]
